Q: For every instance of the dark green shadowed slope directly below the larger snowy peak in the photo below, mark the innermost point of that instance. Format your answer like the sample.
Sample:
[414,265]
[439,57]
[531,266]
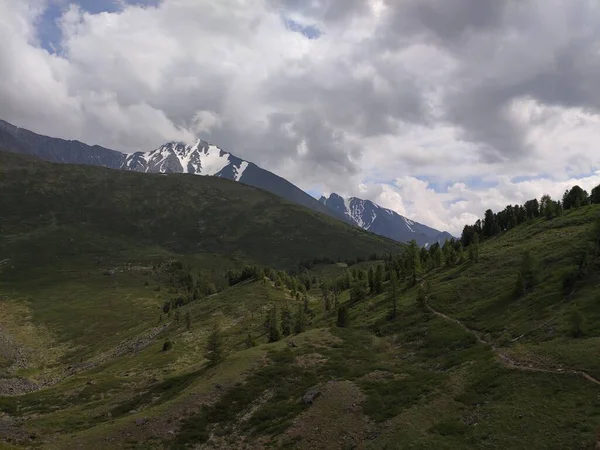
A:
[87,209]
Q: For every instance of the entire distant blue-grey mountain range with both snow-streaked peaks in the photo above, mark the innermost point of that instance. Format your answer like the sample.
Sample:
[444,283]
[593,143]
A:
[203,158]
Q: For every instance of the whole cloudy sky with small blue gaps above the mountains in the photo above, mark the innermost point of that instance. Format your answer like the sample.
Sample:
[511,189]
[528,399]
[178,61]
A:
[438,109]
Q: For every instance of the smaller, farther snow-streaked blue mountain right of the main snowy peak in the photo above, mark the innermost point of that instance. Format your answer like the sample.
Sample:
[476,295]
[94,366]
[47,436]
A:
[383,221]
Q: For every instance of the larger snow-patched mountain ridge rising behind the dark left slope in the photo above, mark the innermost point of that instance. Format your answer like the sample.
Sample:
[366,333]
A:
[200,158]
